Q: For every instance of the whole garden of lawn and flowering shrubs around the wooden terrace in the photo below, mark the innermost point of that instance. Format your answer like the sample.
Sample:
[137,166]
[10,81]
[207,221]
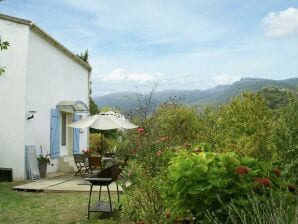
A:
[232,163]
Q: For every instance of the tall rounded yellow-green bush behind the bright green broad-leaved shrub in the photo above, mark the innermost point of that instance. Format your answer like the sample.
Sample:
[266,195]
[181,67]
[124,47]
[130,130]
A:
[243,126]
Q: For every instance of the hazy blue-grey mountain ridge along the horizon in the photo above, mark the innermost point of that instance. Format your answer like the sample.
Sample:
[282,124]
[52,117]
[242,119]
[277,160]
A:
[127,101]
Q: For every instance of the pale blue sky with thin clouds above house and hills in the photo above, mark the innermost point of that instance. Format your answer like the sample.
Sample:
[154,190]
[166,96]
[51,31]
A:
[178,44]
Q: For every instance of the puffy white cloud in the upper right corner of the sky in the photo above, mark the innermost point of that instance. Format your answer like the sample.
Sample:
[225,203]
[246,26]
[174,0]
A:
[284,23]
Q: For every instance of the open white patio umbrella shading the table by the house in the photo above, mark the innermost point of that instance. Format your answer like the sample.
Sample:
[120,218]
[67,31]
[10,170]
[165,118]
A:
[104,121]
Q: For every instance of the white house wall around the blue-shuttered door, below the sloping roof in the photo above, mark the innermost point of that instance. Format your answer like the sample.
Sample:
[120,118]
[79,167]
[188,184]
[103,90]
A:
[52,77]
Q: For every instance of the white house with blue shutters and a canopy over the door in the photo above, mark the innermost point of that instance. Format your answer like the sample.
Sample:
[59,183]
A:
[45,87]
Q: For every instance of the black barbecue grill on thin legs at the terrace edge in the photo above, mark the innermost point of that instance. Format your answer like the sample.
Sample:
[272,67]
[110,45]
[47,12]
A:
[103,178]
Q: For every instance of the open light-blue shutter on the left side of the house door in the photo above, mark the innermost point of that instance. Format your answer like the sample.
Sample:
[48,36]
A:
[55,133]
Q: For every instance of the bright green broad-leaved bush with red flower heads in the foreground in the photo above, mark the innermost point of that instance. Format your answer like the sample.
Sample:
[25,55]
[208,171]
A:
[197,182]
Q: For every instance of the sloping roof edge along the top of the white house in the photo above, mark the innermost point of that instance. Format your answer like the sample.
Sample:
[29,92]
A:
[50,39]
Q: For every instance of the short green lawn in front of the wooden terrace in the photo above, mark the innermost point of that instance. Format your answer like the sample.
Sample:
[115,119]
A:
[31,207]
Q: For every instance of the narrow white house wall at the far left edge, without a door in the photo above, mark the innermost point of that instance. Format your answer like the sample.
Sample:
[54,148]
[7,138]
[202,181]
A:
[12,97]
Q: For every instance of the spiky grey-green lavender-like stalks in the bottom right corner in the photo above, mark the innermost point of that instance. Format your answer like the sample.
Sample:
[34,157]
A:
[279,208]
